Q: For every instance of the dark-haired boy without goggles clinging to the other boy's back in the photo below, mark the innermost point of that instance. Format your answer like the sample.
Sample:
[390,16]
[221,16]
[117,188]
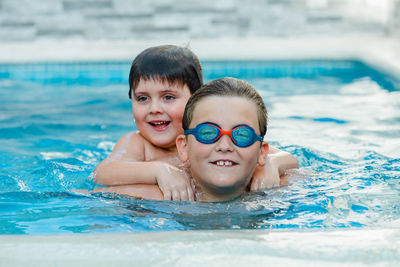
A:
[161,81]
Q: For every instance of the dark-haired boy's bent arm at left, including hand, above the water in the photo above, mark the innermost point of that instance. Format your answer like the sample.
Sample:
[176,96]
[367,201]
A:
[126,166]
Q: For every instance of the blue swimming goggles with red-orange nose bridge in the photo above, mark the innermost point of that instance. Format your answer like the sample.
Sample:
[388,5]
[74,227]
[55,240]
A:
[208,133]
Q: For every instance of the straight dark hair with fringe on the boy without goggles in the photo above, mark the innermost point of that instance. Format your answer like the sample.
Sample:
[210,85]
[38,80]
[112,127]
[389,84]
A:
[167,63]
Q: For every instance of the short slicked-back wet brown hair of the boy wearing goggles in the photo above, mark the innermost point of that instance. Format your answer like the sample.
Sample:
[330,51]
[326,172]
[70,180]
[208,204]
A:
[227,87]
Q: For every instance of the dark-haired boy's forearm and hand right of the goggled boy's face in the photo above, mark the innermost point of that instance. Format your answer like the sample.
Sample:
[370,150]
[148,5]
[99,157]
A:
[269,175]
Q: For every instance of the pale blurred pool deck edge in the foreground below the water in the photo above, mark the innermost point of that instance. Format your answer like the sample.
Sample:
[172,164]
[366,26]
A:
[360,247]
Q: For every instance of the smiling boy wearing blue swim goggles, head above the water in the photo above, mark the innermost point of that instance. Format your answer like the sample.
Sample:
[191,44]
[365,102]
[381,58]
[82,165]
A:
[224,122]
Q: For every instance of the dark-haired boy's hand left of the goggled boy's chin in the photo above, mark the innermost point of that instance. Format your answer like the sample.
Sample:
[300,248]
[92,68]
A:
[174,183]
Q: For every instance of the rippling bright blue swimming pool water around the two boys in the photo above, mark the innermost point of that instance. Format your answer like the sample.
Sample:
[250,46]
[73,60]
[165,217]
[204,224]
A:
[341,119]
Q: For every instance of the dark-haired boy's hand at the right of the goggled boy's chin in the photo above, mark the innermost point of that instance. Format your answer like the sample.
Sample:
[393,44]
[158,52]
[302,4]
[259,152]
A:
[266,176]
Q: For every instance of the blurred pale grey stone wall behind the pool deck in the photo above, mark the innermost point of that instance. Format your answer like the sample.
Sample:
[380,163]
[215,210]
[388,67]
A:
[26,20]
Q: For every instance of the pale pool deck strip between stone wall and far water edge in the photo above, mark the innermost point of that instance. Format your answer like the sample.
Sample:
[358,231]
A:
[382,53]
